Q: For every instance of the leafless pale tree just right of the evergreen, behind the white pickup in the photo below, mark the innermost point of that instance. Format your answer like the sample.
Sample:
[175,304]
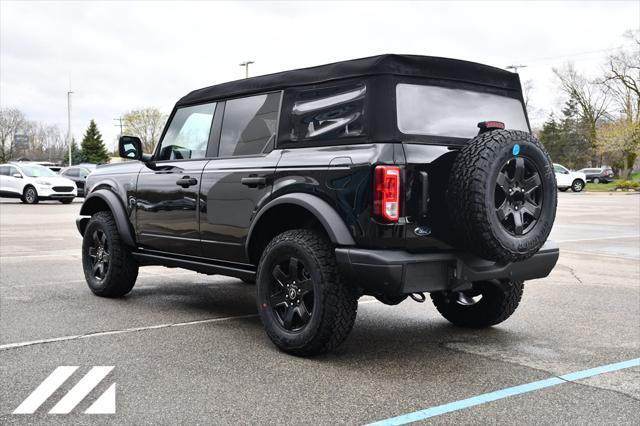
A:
[593,99]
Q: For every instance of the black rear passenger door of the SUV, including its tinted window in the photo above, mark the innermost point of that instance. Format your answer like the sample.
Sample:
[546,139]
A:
[240,178]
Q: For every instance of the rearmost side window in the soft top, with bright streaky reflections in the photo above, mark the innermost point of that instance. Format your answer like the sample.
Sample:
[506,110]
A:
[328,113]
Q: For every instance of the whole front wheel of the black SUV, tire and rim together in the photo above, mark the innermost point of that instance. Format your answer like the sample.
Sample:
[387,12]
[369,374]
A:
[109,268]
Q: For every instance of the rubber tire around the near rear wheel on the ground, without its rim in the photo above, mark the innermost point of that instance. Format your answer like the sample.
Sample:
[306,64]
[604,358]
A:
[335,303]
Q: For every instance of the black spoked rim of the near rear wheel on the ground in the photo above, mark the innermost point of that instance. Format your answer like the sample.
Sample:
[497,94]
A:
[291,294]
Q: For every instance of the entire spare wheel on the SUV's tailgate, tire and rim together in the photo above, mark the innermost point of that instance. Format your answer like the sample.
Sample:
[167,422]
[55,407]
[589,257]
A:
[502,196]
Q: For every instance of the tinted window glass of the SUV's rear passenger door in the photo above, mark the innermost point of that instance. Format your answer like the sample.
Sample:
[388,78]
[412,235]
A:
[249,124]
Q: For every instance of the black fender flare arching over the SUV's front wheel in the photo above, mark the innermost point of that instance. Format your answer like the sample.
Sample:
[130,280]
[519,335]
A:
[117,210]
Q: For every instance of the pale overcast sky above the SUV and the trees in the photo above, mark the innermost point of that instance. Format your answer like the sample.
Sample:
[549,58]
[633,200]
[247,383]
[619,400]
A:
[120,56]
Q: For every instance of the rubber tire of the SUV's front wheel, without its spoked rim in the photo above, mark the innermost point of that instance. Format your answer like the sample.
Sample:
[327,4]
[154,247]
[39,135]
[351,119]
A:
[122,270]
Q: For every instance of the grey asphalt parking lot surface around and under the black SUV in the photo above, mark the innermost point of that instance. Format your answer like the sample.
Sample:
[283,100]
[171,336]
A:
[188,348]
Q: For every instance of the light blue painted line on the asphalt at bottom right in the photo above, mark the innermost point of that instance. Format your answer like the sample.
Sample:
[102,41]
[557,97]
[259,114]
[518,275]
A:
[504,393]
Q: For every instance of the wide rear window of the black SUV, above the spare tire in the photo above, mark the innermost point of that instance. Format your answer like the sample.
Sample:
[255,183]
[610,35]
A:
[439,111]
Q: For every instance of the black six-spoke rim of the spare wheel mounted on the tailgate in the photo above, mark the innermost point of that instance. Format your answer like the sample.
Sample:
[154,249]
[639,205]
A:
[518,196]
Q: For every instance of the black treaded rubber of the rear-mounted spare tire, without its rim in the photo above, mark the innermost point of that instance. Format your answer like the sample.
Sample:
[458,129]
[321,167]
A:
[471,196]
